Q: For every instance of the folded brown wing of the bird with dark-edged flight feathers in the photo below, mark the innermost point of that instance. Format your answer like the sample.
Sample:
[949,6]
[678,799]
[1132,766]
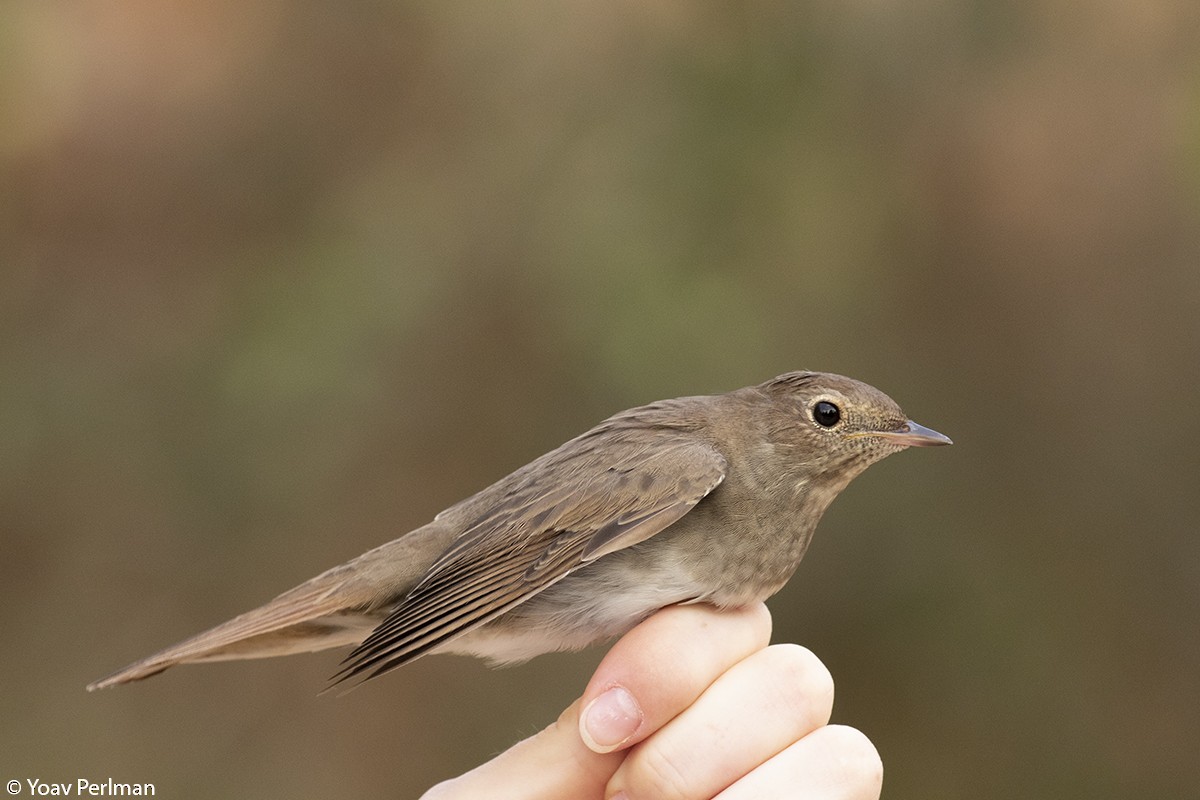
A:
[562,512]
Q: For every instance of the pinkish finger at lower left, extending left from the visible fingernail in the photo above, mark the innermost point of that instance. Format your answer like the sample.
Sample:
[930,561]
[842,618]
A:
[549,766]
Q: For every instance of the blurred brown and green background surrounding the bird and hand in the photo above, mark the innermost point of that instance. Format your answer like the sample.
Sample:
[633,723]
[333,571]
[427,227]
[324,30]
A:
[279,282]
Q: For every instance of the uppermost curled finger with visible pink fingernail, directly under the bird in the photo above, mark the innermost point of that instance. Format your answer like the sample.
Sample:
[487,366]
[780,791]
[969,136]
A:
[661,667]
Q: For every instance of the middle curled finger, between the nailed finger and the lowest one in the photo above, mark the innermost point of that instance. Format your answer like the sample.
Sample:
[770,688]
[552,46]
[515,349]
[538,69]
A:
[758,709]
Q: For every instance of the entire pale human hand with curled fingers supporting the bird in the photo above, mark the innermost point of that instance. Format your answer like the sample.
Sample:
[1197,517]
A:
[691,705]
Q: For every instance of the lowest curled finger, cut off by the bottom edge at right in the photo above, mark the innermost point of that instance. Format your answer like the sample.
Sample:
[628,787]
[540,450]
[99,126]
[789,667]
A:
[831,763]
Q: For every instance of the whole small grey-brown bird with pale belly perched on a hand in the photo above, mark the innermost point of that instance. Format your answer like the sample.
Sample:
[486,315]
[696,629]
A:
[706,500]
